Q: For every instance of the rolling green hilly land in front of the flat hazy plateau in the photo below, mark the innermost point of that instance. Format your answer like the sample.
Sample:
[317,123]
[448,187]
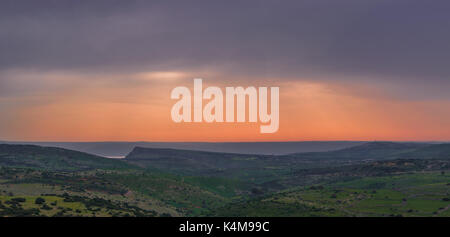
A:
[363,179]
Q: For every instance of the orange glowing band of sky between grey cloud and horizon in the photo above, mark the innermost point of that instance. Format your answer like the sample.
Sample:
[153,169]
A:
[141,112]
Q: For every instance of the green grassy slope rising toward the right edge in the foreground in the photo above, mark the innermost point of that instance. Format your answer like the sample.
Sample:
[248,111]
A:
[402,195]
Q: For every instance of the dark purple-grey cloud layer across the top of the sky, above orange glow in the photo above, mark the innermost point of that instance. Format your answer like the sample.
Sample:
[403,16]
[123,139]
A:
[398,40]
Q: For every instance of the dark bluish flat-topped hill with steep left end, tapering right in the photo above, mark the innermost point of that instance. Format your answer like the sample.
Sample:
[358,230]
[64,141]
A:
[199,163]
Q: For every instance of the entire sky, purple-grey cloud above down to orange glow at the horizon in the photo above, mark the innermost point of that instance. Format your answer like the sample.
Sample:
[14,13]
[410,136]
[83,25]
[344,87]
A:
[103,70]
